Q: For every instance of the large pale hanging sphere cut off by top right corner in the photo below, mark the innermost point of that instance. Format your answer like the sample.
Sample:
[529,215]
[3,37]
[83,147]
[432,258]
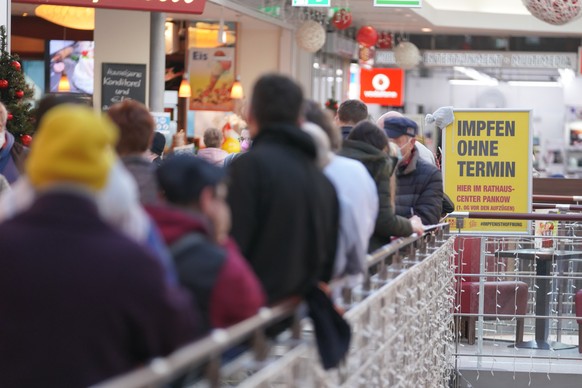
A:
[556,12]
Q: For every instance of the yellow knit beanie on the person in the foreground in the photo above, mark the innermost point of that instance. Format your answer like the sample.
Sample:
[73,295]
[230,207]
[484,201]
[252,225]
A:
[73,145]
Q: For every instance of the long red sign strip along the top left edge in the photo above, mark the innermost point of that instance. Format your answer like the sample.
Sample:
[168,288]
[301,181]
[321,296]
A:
[179,6]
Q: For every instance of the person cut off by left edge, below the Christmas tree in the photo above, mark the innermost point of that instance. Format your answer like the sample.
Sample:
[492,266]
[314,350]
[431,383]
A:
[12,154]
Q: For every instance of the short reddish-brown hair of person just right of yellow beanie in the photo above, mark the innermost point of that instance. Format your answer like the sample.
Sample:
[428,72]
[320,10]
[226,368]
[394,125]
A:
[136,126]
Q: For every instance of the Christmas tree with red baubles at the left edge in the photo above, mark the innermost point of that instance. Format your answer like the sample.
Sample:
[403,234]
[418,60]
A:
[14,93]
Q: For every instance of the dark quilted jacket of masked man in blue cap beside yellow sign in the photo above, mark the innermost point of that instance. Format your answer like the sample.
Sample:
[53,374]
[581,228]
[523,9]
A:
[419,190]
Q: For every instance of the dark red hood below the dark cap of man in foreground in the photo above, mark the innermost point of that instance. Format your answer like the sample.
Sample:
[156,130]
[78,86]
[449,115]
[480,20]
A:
[175,223]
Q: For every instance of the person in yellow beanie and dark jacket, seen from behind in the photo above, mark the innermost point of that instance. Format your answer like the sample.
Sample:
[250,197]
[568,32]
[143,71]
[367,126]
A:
[79,302]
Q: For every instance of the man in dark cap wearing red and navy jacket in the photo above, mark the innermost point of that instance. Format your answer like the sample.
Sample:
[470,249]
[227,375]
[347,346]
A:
[195,224]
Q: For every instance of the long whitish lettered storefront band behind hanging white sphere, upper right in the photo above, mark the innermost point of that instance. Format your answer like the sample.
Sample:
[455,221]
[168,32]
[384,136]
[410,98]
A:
[435,58]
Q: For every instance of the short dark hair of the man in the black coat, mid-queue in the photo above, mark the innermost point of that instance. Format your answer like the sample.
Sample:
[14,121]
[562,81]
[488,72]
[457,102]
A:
[276,99]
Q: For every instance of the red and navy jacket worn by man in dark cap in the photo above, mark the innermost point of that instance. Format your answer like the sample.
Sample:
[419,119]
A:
[223,284]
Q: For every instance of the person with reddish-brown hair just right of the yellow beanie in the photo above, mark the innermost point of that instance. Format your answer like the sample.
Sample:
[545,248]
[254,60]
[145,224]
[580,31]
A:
[136,128]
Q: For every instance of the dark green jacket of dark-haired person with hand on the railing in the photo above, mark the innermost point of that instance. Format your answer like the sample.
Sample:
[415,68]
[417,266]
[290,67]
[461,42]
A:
[379,166]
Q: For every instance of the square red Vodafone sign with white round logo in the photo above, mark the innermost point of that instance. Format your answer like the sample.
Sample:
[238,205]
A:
[382,86]
